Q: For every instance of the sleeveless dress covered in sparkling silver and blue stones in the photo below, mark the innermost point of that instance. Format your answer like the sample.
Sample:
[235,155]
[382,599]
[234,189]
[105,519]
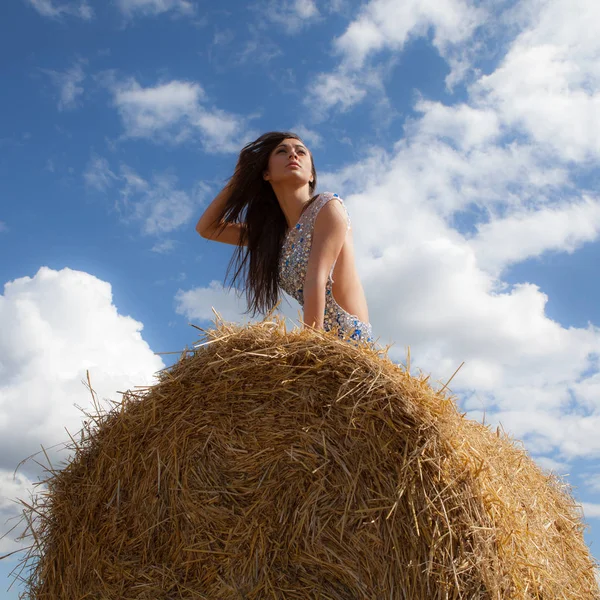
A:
[293,260]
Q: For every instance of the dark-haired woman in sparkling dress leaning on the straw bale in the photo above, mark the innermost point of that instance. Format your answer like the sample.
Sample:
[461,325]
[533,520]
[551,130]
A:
[295,240]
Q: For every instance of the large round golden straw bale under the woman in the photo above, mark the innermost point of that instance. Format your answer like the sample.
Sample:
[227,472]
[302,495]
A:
[276,464]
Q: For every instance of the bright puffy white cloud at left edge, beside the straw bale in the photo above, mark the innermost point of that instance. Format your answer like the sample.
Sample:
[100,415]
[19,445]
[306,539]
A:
[56,326]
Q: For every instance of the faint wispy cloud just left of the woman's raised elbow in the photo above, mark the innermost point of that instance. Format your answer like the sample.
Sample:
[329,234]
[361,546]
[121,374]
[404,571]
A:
[157,206]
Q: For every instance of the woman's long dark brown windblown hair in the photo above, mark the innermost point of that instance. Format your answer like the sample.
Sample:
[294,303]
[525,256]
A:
[266,224]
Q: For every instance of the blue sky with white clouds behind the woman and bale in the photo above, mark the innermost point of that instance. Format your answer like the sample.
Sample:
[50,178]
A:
[463,136]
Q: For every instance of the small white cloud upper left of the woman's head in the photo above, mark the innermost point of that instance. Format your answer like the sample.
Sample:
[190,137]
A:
[176,112]
